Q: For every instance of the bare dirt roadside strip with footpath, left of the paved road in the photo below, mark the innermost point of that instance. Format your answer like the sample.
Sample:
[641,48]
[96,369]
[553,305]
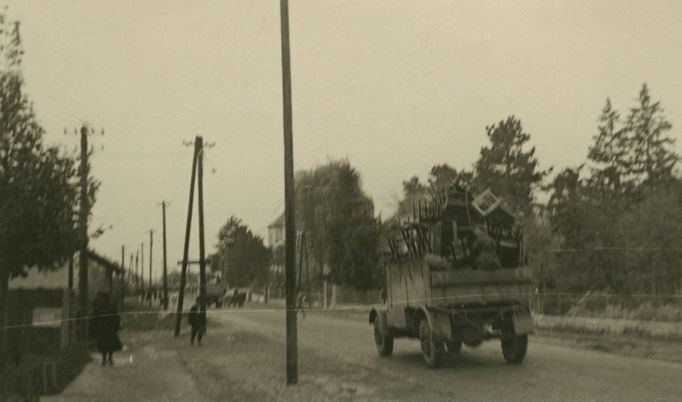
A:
[232,364]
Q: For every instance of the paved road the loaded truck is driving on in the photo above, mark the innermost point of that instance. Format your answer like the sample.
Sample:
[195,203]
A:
[550,372]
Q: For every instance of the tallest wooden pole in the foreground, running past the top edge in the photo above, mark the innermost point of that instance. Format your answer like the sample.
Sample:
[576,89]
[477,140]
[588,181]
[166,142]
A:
[289,202]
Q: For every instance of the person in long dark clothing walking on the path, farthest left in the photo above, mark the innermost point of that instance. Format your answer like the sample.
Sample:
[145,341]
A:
[105,326]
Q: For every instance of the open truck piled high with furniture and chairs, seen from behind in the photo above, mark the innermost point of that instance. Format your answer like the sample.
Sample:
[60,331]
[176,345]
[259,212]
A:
[455,275]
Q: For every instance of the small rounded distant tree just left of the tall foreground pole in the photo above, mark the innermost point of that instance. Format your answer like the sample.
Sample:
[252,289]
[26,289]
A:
[243,254]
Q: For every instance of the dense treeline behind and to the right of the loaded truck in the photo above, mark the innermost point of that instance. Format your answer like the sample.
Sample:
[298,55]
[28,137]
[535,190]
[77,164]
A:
[611,226]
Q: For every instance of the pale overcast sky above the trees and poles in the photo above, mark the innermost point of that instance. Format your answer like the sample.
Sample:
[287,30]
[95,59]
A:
[395,86]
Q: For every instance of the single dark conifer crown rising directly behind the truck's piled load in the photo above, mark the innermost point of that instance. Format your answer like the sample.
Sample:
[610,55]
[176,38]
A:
[507,167]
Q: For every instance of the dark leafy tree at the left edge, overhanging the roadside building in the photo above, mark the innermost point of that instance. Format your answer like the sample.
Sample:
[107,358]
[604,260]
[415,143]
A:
[38,183]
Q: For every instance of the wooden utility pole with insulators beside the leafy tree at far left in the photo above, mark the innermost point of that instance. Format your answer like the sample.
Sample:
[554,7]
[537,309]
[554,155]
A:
[83,232]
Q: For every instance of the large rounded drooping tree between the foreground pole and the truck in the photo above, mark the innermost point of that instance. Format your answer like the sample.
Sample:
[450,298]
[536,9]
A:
[338,219]
